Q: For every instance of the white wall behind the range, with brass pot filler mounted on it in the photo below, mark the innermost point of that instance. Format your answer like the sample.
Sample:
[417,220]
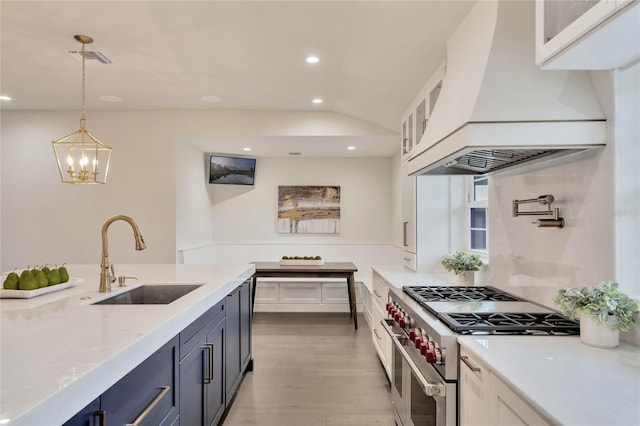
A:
[598,193]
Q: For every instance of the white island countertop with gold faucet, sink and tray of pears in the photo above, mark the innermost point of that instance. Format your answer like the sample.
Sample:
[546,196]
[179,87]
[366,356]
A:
[58,352]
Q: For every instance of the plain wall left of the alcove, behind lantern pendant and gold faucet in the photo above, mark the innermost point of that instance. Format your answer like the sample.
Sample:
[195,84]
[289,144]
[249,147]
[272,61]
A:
[45,221]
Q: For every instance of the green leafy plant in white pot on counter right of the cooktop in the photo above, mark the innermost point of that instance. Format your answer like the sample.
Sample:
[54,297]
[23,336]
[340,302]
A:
[603,311]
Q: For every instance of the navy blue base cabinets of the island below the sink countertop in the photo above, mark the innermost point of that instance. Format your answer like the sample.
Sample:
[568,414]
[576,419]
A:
[191,380]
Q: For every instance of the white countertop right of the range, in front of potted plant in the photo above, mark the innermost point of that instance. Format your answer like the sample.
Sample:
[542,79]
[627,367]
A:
[569,382]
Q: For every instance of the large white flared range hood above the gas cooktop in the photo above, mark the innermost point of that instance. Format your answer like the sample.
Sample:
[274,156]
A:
[497,109]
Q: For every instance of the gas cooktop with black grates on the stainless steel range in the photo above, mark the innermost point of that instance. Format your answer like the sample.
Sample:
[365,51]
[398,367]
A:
[487,310]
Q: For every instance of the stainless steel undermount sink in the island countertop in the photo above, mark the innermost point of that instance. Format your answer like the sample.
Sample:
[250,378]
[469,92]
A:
[150,294]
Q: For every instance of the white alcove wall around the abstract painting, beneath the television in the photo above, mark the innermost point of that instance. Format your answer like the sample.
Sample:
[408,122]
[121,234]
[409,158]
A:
[241,222]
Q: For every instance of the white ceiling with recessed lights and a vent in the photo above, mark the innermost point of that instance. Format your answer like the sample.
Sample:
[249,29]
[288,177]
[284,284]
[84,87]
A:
[374,55]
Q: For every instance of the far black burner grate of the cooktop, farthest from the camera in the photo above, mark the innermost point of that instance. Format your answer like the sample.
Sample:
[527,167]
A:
[458,294]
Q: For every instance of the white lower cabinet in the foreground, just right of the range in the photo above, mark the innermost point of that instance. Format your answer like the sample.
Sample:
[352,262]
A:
[485,399]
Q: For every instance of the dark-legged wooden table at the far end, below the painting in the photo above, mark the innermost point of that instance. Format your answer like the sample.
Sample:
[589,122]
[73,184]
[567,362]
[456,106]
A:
[328,270]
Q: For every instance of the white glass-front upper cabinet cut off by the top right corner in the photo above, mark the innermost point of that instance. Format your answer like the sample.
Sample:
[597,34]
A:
[587,34]
